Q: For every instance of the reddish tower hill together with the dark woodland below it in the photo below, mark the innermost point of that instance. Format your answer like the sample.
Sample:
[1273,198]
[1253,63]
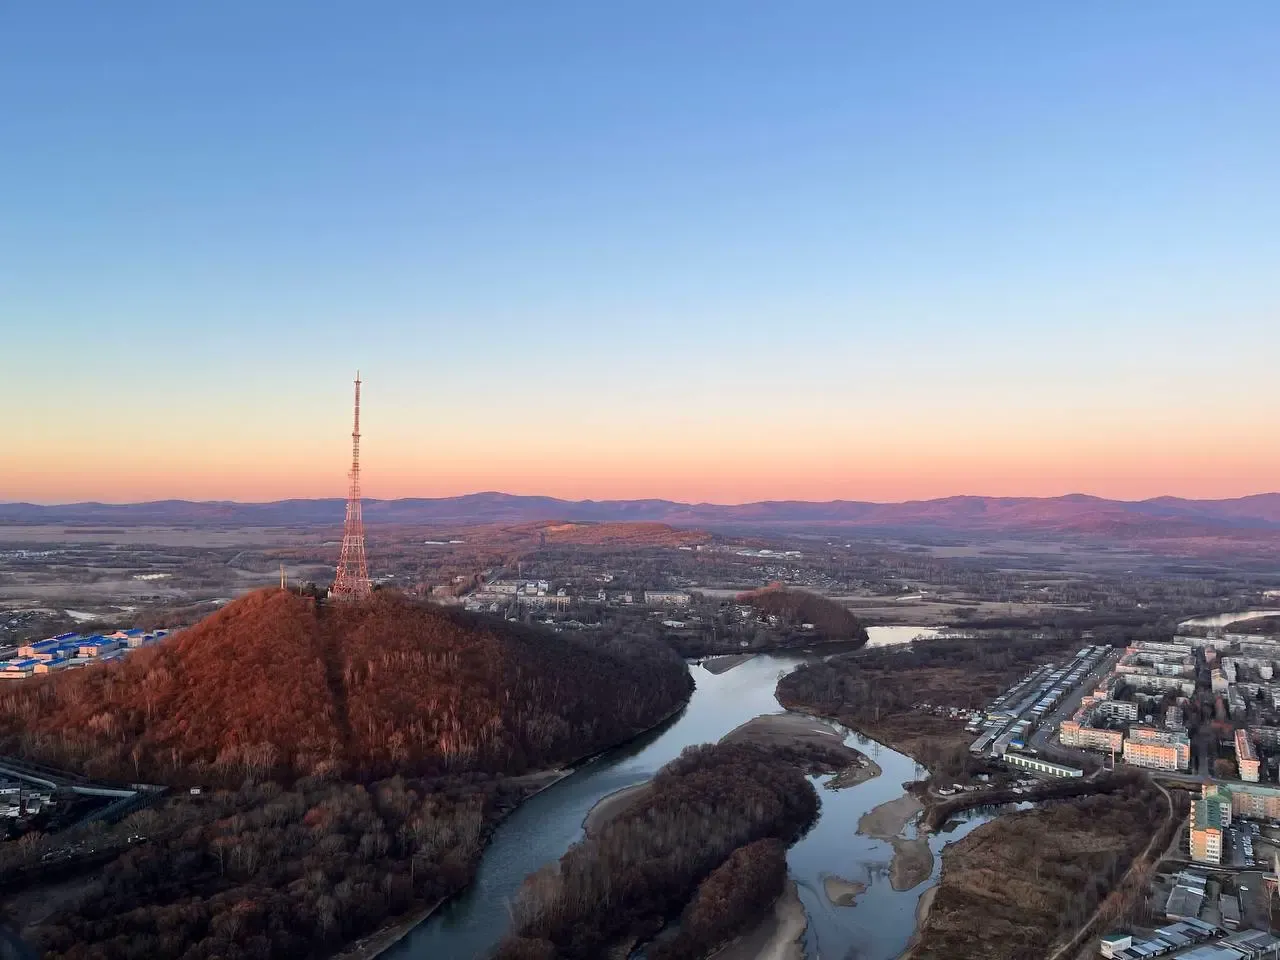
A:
[355,758]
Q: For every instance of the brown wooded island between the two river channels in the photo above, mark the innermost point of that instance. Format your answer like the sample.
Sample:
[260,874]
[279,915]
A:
[621,884]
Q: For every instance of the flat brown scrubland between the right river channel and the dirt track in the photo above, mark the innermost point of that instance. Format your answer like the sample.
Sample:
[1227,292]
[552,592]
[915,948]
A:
[1020,884]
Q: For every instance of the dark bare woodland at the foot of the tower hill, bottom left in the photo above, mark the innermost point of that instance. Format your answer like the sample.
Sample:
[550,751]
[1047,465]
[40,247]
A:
[271,872]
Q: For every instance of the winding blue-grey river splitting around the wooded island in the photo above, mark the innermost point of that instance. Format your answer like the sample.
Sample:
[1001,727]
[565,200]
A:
[543,829]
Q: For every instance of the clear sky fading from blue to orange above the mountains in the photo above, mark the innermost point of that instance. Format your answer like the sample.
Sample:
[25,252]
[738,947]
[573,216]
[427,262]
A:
[712,250]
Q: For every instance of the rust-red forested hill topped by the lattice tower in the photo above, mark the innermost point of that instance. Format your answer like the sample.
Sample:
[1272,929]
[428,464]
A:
[278,685]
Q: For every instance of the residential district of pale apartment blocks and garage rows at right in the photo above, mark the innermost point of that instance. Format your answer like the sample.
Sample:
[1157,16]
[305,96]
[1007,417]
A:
[1203,714]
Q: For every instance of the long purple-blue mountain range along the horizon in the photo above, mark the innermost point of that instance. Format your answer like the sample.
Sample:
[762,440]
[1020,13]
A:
[1071,514]
